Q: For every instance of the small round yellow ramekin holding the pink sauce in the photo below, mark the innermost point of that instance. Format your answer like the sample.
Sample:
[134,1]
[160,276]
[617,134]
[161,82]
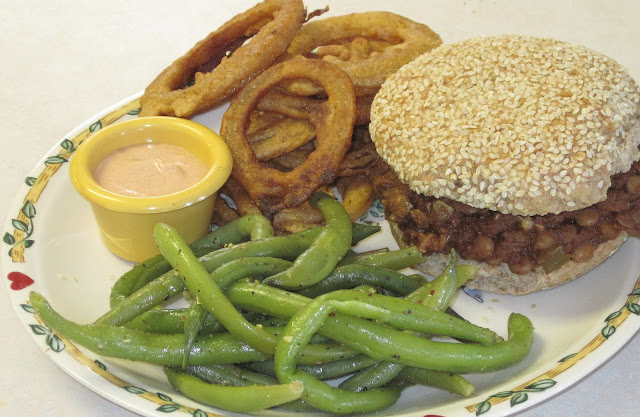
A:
[125,222]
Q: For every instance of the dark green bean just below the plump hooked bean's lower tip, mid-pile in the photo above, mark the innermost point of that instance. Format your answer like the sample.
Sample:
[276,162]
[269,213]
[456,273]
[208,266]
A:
[349,276]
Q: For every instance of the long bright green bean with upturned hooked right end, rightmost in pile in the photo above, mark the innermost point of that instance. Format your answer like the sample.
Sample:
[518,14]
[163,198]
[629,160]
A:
[372,339]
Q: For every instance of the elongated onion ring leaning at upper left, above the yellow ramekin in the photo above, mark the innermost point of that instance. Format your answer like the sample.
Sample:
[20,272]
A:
[271,25]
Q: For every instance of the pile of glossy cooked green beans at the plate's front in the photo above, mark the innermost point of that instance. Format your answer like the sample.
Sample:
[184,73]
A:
[273,321]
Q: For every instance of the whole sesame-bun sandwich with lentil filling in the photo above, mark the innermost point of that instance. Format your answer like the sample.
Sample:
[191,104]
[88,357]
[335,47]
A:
[519,153]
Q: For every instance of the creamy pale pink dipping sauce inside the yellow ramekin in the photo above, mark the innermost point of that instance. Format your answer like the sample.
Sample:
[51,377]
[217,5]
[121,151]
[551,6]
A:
[149,170]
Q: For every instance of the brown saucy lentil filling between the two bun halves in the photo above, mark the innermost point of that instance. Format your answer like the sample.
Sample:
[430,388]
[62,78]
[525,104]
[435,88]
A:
[524,243]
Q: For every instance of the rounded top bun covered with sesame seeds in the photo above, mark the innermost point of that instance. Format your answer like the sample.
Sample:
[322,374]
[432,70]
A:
[514,124]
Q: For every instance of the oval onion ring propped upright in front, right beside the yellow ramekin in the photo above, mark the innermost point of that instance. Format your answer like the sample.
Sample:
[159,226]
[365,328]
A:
[274,190]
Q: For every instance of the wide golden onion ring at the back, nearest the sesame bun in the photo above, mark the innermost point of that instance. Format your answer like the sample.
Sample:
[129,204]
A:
[393,41]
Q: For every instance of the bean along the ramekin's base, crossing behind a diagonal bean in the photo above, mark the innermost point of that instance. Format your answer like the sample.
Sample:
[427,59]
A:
[253,226]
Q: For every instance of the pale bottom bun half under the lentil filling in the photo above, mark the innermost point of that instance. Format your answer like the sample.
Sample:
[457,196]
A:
[500,280]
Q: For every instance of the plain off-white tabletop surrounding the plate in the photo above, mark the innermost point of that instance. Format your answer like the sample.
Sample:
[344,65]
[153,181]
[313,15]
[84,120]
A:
[62,62]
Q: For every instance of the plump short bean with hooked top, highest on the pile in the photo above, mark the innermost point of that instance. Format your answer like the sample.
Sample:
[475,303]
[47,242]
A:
[315,263]
